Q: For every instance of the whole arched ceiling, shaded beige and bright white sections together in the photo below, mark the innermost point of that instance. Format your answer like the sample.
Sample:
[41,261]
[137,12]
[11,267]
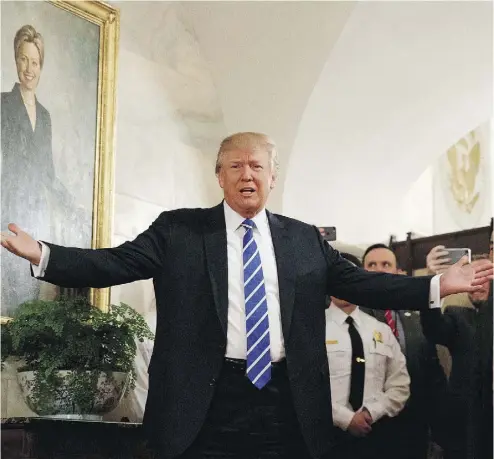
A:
[358,95]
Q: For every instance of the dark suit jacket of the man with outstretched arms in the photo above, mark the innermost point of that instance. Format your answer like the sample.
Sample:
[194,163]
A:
[185,252]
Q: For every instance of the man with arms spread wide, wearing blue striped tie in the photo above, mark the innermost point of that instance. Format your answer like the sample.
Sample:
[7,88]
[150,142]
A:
[239,367]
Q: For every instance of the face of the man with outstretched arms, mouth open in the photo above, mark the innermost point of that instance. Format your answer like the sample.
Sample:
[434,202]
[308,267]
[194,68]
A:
[247,178]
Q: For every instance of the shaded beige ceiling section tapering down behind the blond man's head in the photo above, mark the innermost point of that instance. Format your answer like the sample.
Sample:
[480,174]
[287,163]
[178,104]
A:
[265,58]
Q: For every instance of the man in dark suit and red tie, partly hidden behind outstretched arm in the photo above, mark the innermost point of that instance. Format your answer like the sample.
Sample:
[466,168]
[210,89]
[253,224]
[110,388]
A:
[420,416]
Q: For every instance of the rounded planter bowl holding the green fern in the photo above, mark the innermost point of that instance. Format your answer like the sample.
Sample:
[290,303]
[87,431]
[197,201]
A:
[88,396]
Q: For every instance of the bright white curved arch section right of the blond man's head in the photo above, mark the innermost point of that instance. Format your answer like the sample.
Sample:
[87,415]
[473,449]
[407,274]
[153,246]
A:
[404,81]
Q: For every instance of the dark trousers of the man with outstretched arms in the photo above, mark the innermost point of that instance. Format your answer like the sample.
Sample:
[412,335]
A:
[244,422]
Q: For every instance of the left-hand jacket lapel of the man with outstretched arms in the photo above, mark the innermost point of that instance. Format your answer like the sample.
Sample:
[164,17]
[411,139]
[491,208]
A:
[216,256]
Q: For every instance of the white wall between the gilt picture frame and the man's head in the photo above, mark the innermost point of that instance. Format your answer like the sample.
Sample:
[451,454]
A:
[169,125]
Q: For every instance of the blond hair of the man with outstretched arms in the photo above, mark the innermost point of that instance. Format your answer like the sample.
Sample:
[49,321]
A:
[249,141]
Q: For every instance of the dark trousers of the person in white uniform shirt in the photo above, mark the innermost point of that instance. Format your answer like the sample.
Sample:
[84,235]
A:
[379,444]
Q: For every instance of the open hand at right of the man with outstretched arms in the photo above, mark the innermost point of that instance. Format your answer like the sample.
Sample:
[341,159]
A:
[464,277]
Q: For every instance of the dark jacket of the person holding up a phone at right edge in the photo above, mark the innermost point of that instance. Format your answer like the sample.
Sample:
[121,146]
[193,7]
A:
[468,336]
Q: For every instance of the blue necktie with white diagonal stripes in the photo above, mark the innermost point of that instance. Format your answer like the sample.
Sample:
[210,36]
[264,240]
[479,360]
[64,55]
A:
[256,311]
